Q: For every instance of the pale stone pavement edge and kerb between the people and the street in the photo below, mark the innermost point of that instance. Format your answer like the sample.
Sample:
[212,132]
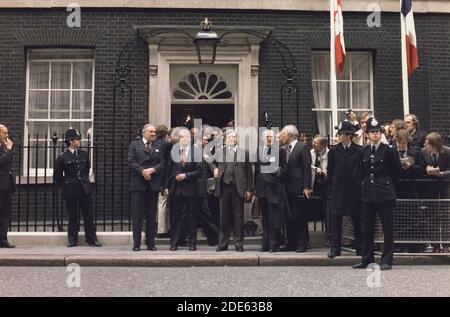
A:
[188,260]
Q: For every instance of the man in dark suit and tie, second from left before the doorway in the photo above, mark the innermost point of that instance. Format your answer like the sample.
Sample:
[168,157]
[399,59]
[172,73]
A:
[184,169]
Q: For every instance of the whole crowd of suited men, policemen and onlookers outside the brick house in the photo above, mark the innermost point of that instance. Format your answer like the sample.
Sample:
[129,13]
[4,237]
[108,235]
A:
[182,179]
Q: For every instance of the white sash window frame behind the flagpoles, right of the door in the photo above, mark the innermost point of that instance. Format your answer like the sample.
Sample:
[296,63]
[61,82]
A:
[333,110]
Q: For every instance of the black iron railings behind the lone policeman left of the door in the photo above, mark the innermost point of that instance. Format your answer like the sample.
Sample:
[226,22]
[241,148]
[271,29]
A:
[38,205]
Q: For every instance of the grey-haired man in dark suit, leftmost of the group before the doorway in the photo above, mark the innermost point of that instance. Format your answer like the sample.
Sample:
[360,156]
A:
[146,162]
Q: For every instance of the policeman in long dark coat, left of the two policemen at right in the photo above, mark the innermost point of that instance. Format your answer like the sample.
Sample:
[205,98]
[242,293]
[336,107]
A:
[344,174]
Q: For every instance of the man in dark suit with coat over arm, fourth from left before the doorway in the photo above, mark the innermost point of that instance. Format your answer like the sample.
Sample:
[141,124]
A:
[269,190]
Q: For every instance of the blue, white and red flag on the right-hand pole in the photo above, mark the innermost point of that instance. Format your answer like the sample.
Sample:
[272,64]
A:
[410,34]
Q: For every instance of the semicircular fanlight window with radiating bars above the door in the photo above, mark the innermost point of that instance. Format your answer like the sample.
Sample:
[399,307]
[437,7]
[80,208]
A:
[202,86]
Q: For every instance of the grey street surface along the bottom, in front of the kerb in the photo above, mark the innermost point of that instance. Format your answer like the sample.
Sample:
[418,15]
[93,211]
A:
[225,281]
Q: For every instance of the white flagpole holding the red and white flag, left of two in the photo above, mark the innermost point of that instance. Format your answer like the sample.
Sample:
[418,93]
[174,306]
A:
[333,83]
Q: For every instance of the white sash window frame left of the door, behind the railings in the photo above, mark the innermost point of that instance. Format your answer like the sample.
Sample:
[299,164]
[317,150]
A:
[49,171]
